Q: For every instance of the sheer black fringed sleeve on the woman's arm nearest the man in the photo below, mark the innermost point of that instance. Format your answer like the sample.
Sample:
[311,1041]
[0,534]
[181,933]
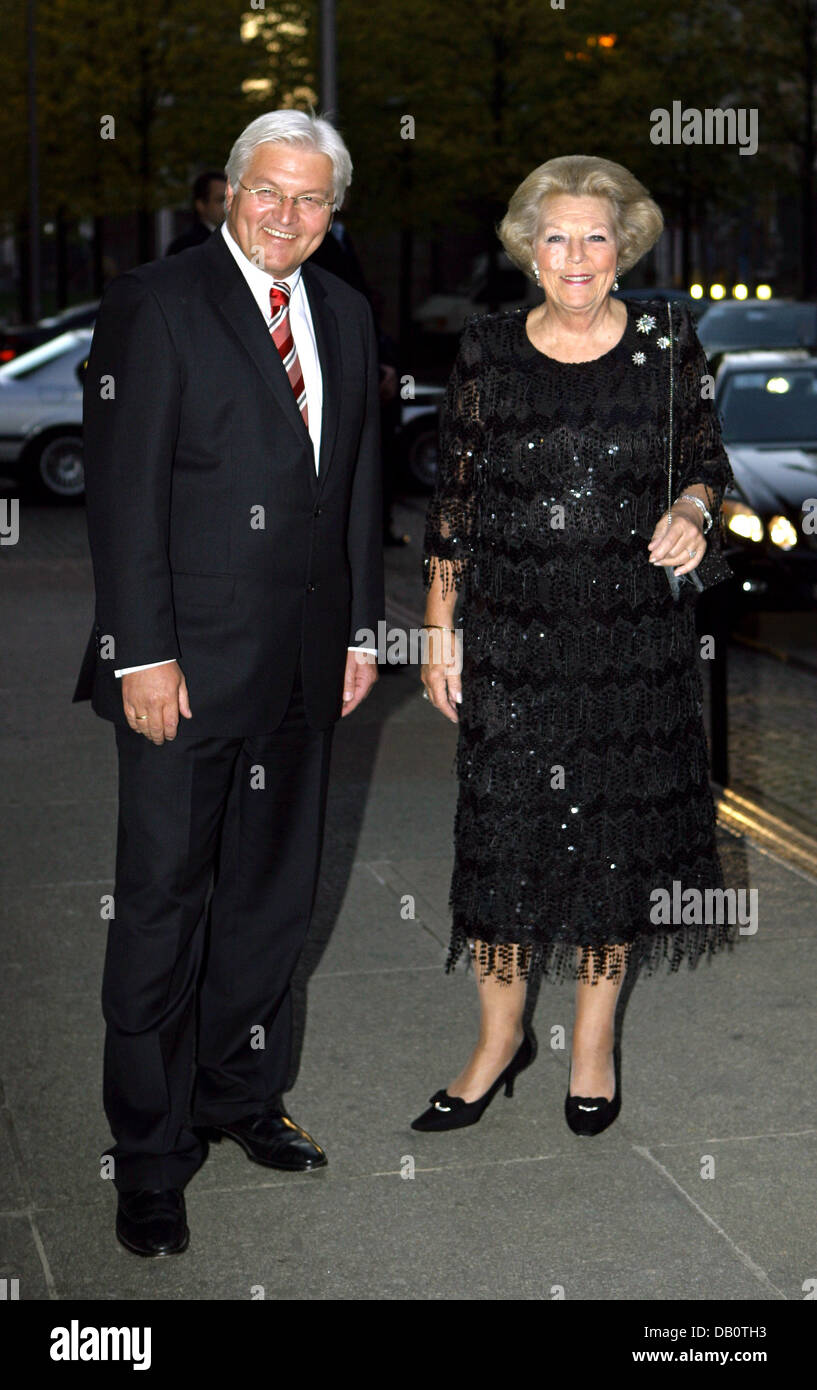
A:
[451,521]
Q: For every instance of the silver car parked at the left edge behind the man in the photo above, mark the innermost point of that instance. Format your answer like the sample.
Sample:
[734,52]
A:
[41,416]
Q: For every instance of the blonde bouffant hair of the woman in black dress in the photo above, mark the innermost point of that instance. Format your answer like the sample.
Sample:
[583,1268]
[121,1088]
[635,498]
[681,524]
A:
[637,219]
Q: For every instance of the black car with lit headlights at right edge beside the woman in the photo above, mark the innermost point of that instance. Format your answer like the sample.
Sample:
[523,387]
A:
[768,404]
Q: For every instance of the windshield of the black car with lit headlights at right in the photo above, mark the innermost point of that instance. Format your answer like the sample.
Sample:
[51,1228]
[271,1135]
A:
[772,407]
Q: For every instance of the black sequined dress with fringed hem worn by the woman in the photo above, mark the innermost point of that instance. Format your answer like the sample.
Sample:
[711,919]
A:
[581,755]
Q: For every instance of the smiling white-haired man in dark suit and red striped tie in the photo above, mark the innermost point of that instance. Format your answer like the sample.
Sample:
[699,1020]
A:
[234,509]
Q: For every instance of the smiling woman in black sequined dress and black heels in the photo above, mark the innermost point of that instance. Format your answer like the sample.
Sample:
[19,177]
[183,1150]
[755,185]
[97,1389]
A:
[581,479]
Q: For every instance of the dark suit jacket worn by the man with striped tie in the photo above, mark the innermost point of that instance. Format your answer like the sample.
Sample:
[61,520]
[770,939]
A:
[212,539]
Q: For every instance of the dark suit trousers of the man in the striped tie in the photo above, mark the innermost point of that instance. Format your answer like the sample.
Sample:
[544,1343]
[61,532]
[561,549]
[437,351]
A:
[197,983]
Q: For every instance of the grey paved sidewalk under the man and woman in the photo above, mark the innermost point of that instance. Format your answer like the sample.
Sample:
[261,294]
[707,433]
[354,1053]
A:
[718,1064]
